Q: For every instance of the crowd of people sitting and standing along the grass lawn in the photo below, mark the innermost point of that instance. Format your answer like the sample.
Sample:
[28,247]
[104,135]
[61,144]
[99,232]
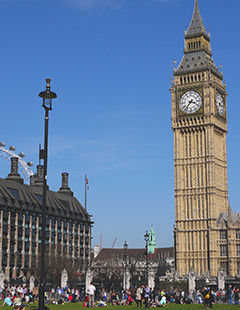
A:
[21,296]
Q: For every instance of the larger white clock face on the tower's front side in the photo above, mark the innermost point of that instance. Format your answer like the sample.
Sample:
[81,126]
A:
[190,102]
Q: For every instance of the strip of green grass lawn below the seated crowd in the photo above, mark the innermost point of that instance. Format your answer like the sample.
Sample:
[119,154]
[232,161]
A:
[73,306]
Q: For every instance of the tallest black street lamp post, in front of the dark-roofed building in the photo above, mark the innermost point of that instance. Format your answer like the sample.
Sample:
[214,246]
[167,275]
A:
[47,97]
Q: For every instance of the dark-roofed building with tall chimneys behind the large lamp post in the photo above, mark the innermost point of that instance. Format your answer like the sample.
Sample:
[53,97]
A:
[68,225]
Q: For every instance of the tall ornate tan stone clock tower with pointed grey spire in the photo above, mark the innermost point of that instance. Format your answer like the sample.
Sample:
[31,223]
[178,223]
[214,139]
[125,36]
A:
[199,123]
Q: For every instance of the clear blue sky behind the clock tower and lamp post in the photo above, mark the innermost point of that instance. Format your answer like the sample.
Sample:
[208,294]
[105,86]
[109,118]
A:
[111,63]
